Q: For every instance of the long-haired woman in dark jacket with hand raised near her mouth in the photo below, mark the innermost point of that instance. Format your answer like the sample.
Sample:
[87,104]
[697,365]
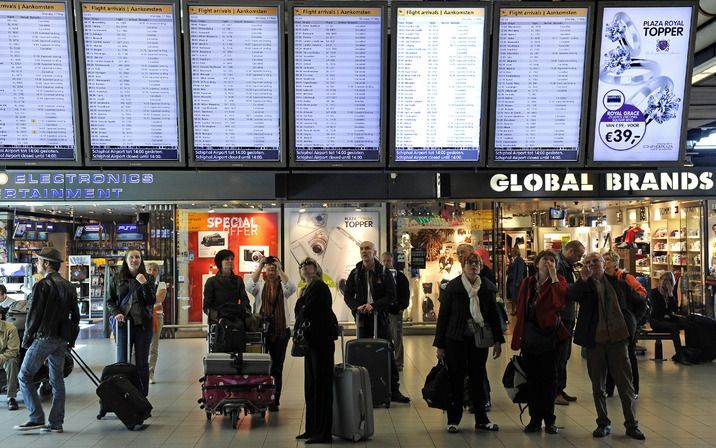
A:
[131,300]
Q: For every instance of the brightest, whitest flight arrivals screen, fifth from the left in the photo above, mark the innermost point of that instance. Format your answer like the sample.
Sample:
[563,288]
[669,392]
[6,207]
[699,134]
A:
[439,56]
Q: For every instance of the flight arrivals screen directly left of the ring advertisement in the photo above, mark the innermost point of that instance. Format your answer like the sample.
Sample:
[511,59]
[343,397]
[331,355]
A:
[540,84]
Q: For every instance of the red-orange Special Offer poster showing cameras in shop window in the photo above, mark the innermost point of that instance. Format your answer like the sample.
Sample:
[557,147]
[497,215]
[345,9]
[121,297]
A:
[242,233]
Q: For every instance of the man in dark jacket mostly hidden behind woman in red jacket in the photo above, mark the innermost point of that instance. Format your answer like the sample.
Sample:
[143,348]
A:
[572,253]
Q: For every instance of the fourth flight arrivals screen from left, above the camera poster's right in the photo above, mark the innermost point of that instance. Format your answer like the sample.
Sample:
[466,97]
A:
[337,80]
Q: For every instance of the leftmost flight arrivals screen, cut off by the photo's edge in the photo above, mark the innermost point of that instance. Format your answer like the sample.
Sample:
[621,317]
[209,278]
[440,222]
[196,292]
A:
[37,118]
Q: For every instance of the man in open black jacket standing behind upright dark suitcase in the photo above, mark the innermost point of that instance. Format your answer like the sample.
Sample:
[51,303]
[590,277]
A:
[370,291]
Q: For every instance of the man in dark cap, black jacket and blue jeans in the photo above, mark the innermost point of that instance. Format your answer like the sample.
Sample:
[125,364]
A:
[52,309]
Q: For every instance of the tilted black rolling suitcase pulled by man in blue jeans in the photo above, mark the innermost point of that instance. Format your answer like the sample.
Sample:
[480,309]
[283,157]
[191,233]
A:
[121,396]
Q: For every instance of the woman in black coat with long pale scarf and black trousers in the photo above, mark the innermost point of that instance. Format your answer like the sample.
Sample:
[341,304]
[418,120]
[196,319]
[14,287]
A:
[462,314]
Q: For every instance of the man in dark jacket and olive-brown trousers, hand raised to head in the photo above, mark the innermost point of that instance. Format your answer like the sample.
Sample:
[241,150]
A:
[606,313]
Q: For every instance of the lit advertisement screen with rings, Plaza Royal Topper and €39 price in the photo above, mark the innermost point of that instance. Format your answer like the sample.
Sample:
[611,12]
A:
[642,83]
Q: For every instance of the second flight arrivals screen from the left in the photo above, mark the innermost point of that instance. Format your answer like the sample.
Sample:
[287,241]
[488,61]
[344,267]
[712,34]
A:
[131,81]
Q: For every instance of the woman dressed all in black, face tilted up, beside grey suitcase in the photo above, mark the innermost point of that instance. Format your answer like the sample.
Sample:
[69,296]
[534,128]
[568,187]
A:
[314,307]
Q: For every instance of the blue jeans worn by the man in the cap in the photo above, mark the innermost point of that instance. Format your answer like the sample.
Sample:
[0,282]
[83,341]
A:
[52,349]
